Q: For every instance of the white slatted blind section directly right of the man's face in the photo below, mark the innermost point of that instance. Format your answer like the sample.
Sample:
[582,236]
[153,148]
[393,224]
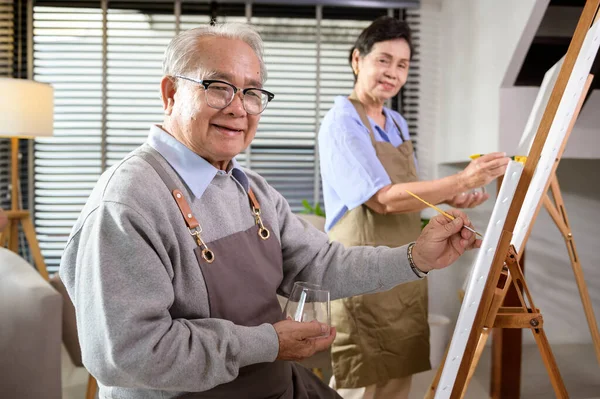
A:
[284,148]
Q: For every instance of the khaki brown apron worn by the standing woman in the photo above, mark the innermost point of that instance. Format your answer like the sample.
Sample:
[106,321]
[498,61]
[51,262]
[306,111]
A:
[384,335]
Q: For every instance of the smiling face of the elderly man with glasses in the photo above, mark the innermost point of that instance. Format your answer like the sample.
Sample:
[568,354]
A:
[217,135]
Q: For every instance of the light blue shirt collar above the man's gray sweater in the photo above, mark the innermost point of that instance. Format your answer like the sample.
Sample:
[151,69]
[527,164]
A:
[195,171]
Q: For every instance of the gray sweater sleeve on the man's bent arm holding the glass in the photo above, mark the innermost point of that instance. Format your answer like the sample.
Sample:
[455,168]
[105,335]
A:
[118,273]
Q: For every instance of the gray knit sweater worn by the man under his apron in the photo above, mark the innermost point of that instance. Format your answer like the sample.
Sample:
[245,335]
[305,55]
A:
[141,303]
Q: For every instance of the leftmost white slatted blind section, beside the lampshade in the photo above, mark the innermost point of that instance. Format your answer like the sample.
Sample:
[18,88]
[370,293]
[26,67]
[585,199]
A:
[68,54]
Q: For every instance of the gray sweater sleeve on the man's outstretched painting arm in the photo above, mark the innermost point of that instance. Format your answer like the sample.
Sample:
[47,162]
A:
[309,256]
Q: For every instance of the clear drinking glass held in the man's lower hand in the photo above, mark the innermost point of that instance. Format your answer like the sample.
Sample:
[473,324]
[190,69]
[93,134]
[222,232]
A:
[308,302]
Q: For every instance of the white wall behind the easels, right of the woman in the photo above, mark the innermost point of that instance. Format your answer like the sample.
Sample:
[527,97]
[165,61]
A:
[471,108]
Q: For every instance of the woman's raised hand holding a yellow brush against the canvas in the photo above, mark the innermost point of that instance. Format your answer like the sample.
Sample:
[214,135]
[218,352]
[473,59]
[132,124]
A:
[481,171]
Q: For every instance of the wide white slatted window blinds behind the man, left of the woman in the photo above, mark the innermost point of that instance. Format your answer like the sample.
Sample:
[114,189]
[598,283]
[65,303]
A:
[103,58]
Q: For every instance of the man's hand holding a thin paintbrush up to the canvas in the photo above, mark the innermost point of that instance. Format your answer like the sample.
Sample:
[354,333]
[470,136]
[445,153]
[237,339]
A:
[443,241]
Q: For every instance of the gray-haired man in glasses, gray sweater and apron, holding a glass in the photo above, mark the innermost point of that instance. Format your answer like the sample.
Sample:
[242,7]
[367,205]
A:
[177,257]
